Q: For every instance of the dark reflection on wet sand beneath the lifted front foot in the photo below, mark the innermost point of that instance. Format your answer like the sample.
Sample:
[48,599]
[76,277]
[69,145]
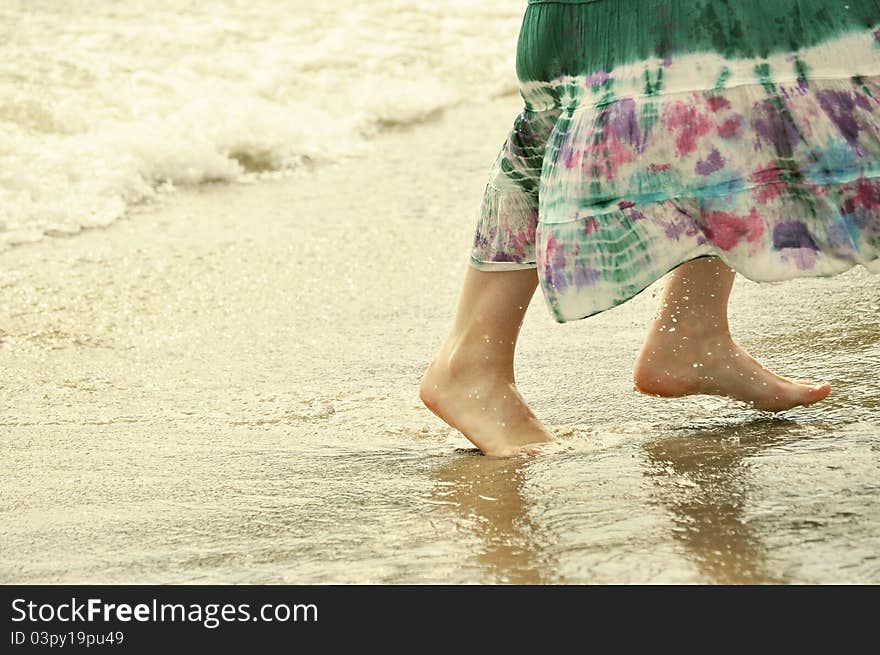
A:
[702,478]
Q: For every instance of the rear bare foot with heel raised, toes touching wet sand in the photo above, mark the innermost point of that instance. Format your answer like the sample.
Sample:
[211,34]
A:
[484,406]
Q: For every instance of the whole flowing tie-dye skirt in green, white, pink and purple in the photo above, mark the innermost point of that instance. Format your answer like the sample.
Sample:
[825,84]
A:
[658,131]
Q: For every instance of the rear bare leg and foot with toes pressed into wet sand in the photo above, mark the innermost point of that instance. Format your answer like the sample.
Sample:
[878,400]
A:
[470,382]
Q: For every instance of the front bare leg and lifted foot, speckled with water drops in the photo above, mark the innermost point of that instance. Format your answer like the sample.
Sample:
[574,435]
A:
[689,349]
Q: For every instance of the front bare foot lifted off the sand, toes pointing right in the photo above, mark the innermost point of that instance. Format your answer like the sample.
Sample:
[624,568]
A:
[671,366]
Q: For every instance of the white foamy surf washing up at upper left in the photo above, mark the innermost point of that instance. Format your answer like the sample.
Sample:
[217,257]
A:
[104,105]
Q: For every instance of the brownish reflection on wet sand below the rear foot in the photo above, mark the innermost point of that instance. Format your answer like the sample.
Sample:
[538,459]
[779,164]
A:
[487,494]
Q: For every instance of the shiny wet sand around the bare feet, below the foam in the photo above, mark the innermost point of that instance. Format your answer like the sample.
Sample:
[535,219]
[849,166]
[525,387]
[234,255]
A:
[224,388]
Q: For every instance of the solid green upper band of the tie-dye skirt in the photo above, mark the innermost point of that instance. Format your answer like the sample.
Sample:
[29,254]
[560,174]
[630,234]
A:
[577,37]
